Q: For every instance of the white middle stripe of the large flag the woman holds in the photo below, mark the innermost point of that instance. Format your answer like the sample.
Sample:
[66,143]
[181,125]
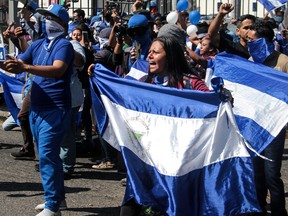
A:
[174,146]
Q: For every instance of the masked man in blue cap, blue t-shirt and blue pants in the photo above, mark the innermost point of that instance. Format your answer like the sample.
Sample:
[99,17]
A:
[50,60]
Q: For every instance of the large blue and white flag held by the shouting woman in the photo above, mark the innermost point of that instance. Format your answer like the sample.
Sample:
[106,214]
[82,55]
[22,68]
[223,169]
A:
[183,151]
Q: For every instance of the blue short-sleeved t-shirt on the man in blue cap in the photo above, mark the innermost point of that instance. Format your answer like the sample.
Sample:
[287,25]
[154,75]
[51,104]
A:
[47,93]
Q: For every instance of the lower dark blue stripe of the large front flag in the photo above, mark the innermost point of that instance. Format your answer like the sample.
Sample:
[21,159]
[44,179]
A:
[206,191]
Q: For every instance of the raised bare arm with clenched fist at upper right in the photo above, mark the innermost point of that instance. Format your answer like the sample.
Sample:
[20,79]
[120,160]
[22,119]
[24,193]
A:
[214,27]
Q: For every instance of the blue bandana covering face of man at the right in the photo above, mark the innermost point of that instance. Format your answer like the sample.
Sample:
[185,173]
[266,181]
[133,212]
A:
[260,49]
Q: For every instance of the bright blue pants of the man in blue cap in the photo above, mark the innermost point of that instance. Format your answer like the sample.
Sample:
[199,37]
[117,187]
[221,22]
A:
[48,129]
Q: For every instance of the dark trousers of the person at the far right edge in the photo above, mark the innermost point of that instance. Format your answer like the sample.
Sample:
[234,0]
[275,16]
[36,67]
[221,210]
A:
[268,176]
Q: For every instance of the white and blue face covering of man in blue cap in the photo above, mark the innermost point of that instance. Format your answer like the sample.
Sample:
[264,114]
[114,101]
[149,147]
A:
[52,29]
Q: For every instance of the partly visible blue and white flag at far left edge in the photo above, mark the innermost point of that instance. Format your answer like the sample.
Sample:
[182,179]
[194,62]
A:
[12,93]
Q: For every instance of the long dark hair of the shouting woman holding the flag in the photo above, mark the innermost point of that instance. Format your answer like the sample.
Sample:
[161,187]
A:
[177,63]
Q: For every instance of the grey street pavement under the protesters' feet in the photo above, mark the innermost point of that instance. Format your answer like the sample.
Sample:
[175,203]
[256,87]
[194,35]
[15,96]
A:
[89,192]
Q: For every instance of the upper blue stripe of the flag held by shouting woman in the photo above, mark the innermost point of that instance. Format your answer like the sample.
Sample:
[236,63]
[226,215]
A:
[133,94]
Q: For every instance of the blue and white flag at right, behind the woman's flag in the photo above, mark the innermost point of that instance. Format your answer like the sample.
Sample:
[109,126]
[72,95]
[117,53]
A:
[260,97]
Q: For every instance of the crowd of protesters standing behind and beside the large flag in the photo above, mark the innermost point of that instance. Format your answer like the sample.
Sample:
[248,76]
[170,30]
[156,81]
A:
[58,55]
